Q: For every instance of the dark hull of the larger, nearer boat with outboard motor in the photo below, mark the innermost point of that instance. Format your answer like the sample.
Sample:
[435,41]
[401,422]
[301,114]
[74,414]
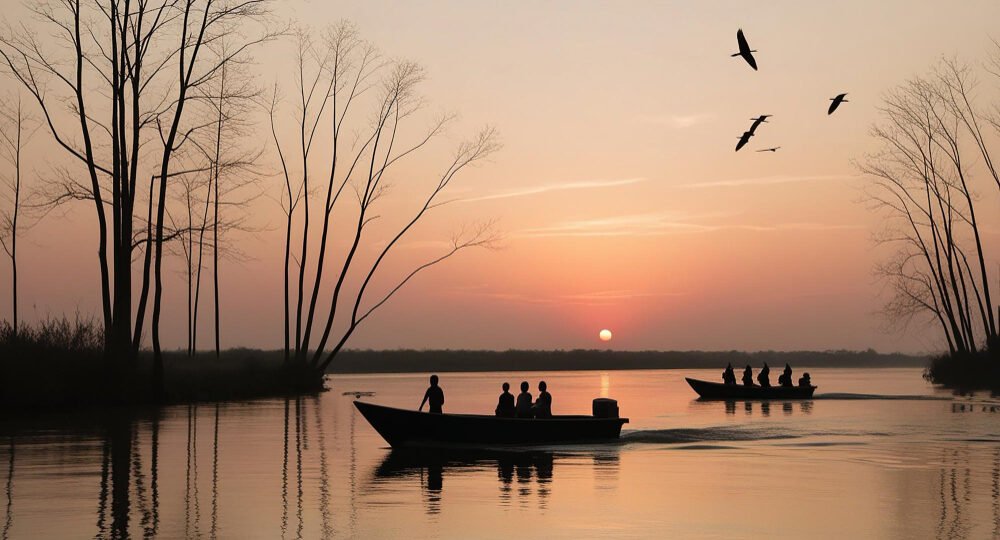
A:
[407,428]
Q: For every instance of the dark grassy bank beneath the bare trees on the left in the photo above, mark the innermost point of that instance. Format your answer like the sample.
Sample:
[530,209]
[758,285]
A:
[60,363]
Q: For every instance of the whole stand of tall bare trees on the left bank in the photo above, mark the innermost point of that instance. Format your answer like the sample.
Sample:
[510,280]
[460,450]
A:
[153,105]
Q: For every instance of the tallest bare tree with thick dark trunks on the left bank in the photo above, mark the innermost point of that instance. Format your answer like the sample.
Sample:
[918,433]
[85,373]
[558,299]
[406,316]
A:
[125,72]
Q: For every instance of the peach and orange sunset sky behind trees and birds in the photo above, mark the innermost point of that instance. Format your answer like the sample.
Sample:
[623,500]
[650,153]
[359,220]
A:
[620,200]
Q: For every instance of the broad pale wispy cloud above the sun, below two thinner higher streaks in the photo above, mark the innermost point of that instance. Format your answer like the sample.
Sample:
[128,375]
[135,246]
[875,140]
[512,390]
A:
[658,224]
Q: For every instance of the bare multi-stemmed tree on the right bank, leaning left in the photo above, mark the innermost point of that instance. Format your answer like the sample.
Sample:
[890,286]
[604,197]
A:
[923,182]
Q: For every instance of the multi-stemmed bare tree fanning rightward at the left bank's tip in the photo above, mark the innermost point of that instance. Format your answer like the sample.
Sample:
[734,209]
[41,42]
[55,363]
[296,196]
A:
[335,79]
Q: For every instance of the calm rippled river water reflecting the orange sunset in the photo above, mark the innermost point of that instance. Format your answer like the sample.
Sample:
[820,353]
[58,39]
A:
[849,464]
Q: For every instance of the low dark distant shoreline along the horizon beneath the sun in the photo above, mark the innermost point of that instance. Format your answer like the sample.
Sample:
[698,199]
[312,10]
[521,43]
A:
[422,361]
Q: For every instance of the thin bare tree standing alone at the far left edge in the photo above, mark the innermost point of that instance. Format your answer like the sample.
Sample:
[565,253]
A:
[16,128]
